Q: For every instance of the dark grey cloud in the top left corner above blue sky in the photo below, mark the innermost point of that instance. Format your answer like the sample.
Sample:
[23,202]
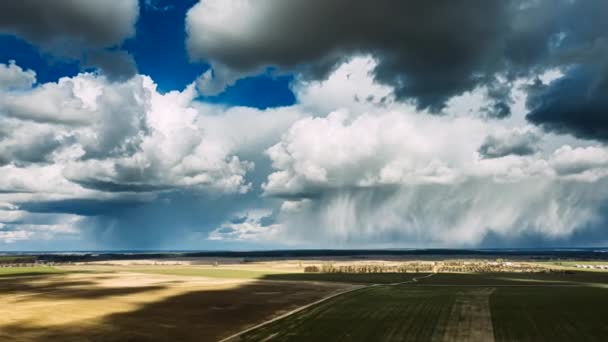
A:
[73,28]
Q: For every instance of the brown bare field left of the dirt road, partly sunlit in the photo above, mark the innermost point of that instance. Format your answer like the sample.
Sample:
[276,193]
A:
[116,305]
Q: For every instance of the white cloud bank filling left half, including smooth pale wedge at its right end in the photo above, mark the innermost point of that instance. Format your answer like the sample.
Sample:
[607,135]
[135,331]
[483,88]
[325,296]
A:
[86,135]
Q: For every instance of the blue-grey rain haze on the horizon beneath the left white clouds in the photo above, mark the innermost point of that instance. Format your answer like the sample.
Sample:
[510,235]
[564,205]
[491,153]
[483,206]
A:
[175,220]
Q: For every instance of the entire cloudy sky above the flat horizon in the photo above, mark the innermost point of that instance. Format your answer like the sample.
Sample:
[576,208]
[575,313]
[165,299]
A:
[270,124]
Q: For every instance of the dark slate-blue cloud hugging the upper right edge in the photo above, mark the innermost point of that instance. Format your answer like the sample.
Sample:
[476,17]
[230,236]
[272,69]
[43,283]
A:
[578,102]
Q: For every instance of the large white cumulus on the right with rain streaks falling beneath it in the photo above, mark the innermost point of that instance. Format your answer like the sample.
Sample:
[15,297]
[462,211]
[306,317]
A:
[386,175]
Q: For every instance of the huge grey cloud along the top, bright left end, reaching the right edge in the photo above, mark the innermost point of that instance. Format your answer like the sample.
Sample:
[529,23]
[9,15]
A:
[465,47]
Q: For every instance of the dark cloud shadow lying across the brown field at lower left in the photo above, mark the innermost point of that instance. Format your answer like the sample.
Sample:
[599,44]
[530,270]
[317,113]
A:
[199,315]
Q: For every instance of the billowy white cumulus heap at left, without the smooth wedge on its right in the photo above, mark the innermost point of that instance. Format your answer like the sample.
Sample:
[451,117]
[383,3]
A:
[121,136]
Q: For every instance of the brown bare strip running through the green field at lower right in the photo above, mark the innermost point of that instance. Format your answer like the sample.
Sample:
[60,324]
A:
[470,319]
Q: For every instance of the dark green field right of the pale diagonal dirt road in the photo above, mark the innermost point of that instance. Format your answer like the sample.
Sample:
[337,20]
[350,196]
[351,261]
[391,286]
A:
[454,307]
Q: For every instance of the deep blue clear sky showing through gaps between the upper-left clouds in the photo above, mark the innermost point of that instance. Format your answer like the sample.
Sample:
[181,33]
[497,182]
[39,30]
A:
[159,51]
